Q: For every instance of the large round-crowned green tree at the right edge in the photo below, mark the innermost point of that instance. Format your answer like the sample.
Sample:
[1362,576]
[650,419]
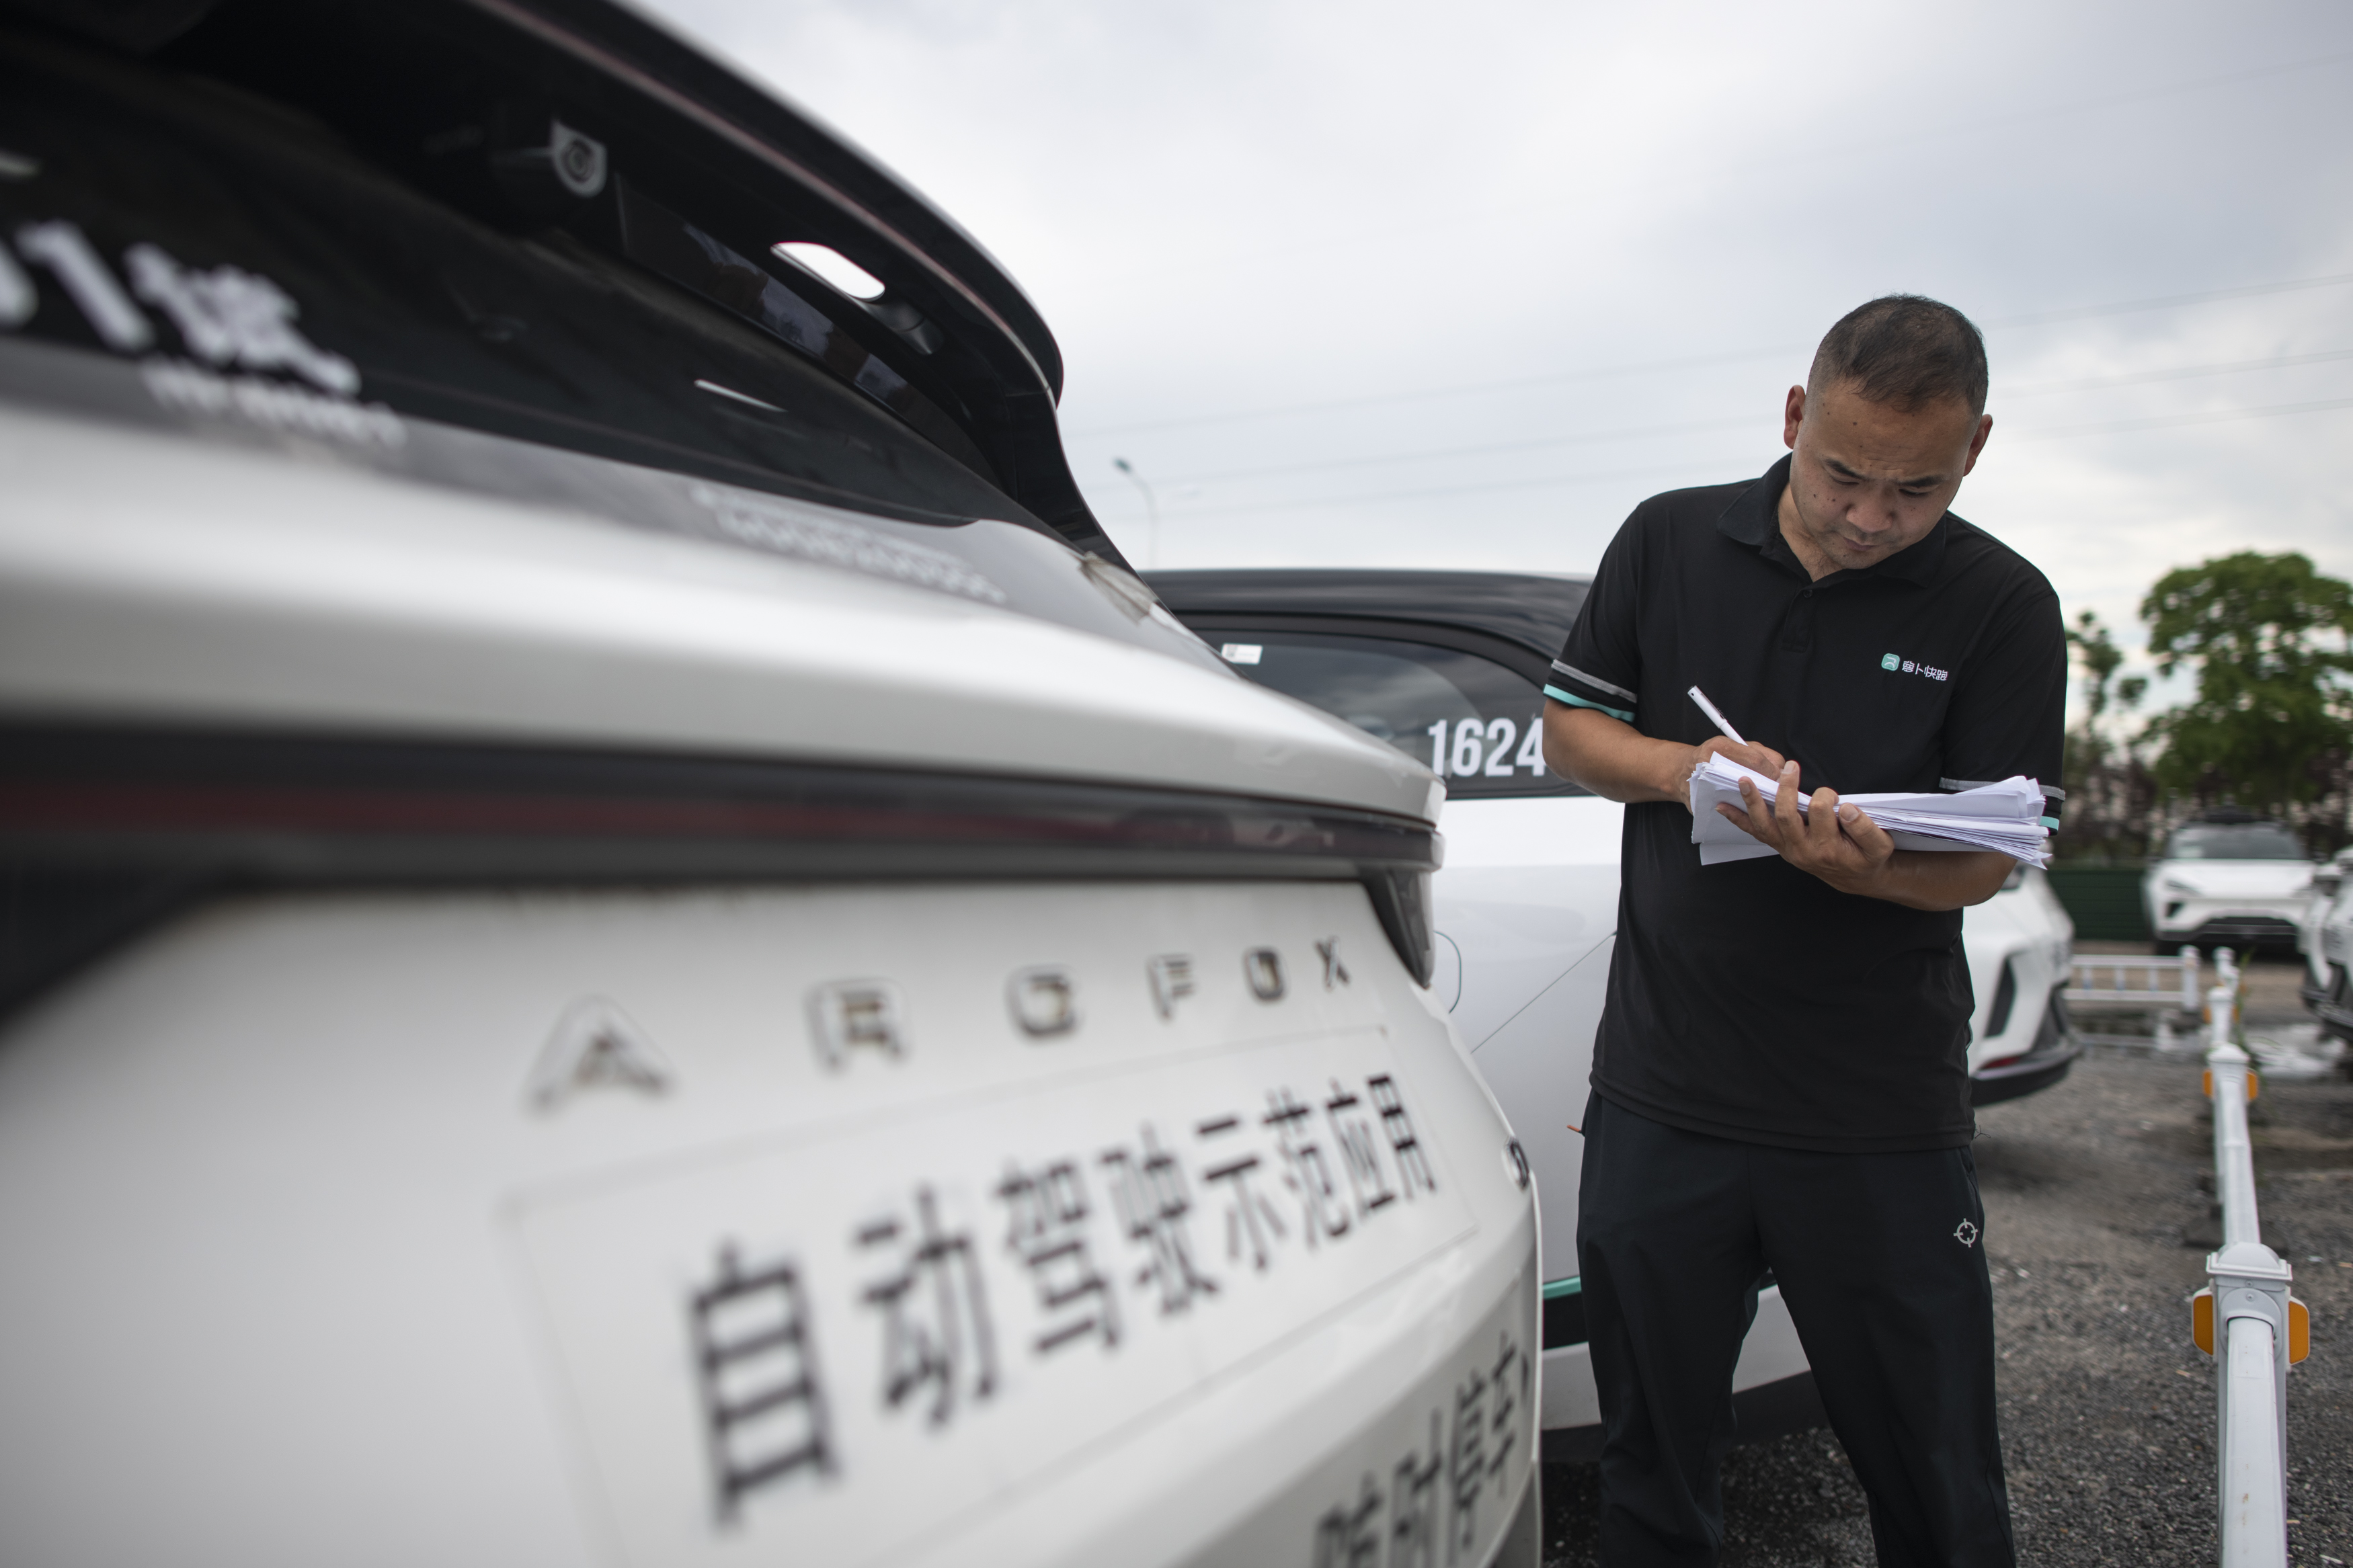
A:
[2272,723]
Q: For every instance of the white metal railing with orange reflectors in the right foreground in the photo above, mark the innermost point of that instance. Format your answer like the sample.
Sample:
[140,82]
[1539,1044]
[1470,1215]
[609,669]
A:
[2246,1318]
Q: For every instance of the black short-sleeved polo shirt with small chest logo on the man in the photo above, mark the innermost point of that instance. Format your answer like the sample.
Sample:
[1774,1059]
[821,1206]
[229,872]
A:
[1752,1000]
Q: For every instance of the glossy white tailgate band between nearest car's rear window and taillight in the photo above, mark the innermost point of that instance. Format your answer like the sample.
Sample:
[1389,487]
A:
[234,587]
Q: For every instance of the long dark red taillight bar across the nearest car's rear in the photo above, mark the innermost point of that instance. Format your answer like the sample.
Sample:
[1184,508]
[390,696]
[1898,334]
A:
[105,833]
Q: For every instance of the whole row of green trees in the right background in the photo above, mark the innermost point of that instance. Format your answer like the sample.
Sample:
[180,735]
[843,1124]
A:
[2269,725]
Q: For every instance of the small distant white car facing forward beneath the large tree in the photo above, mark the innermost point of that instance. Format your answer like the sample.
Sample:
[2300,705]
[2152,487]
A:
[2227,880]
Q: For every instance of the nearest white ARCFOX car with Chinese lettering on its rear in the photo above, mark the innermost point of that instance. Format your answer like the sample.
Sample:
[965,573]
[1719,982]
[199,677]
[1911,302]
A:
[625,939]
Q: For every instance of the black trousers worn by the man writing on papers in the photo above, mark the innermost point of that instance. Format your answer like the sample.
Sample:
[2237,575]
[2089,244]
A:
[1881,1268]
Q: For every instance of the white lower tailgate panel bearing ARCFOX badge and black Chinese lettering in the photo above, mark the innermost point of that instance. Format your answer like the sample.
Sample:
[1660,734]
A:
[326,1235]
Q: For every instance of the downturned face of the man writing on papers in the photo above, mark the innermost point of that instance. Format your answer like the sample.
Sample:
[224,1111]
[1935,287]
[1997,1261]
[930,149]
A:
[1872,481]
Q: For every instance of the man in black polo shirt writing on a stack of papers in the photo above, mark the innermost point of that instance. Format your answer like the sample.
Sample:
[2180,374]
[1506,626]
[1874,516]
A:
[1780,1078]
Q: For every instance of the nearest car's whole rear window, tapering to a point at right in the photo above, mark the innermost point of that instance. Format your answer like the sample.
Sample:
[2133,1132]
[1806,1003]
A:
[180,255]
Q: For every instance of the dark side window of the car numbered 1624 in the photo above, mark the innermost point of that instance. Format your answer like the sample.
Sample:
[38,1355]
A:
[1467,718]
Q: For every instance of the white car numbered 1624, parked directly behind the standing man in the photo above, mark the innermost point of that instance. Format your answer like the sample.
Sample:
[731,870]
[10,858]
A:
[1451,669]
